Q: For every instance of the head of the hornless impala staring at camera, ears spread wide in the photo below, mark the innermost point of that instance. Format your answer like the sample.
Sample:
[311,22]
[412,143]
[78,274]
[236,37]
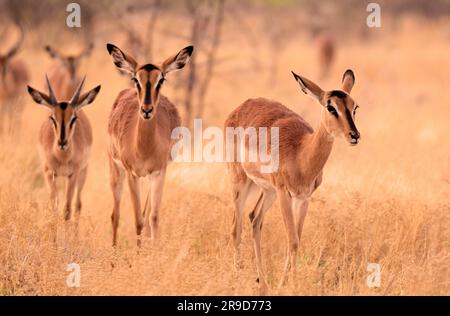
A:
[149,78]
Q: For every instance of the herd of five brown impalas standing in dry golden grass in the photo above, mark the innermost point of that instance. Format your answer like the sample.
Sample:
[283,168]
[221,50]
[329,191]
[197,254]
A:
[139,142]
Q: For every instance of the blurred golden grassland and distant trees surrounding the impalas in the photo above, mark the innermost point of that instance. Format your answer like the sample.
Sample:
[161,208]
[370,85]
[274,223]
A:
[385,201]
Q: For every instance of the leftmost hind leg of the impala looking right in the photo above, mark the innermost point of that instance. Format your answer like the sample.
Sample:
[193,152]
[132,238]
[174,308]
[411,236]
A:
[240,192]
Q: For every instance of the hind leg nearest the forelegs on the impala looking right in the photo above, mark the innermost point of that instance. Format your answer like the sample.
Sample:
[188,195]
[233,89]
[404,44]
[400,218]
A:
[265,201]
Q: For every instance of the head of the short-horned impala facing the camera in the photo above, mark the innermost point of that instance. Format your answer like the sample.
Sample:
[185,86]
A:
[64,114]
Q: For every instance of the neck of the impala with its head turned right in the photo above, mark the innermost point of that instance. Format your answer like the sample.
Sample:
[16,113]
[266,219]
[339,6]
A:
[315,152]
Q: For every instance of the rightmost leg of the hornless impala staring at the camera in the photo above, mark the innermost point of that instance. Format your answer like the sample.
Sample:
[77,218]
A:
[156,191]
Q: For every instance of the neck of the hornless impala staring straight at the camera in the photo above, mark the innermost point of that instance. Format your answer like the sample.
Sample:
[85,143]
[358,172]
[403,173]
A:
[145,136]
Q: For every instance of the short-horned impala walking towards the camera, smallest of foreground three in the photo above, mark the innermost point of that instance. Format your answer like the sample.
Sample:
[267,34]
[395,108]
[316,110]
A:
[65,141]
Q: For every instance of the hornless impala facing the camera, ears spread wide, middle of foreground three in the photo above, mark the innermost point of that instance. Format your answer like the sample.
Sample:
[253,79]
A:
[139,136]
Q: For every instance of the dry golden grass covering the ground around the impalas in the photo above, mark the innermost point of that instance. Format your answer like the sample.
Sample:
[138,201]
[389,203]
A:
[384,201]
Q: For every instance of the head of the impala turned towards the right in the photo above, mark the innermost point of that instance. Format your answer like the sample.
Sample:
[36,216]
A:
[339,108]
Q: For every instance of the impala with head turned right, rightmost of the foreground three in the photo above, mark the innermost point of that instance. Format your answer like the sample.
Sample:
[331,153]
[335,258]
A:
[303,154]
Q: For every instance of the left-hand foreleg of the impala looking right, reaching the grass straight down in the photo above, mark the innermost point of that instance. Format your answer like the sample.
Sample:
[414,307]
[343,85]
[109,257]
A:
[289,222]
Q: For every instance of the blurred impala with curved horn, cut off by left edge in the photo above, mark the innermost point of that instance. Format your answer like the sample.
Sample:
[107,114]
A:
[13,79]
